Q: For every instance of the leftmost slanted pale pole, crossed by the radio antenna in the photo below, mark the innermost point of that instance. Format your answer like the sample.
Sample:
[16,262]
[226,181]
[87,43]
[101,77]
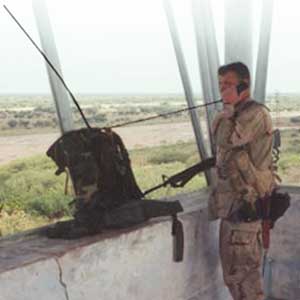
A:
[59,93]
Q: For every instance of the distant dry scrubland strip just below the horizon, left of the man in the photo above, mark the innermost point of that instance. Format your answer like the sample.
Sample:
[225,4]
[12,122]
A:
[36,114]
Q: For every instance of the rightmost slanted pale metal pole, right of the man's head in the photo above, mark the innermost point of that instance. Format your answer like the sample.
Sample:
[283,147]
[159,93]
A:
[263,51]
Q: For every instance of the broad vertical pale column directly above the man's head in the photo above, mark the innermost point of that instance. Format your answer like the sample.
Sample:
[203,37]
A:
[238,32]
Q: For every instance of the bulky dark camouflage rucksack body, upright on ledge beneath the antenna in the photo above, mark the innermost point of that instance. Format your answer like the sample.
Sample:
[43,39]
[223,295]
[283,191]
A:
[97,160]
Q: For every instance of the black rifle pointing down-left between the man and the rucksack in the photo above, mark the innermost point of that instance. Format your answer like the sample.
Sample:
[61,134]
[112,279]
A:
[182,178]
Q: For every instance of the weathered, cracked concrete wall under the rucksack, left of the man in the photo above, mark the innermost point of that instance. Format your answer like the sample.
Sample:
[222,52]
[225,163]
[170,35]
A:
[133,264]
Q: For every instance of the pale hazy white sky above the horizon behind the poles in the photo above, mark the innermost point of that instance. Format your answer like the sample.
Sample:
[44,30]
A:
[124,46]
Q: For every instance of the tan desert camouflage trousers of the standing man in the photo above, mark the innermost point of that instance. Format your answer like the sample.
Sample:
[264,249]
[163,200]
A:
[241,258]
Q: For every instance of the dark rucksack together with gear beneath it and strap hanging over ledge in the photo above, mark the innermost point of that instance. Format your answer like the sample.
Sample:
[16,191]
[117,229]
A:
[108,196]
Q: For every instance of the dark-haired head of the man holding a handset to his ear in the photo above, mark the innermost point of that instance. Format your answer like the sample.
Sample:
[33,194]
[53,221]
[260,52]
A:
[233,75]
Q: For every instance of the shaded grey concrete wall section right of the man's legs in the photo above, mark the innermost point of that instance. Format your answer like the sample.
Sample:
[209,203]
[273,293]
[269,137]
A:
[283,270]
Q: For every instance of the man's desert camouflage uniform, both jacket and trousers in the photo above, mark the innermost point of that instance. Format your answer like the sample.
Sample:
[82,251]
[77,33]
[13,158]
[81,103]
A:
[243,173]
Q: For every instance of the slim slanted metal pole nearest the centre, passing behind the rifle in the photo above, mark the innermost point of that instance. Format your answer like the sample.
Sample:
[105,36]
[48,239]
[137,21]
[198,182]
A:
[186,83]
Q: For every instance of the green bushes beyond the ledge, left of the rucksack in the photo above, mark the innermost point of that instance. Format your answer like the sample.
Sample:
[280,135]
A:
[31,185]
